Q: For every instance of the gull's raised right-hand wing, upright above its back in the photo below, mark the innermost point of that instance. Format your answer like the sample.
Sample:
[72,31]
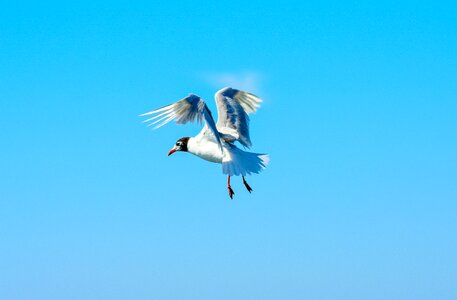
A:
[233,107]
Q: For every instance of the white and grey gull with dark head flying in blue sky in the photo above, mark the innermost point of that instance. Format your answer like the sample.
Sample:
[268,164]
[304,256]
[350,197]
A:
[216,141]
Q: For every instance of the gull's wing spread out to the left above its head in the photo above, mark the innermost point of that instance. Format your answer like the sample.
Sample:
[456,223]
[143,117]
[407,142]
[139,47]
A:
[190,109]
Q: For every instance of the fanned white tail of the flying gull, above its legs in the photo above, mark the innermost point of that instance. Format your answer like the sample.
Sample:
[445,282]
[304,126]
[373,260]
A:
[238,162]
